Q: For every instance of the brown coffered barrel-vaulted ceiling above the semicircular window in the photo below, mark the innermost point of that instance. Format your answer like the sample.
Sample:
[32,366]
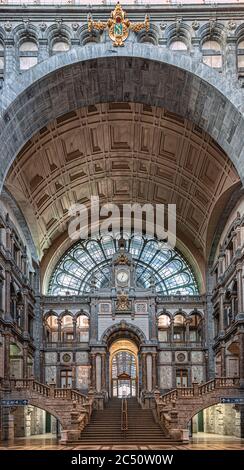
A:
[123,152]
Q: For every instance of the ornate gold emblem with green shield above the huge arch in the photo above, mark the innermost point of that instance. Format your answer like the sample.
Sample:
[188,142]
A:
[118,25]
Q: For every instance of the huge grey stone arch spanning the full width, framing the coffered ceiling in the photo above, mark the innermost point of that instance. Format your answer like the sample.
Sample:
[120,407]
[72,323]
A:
[138,72]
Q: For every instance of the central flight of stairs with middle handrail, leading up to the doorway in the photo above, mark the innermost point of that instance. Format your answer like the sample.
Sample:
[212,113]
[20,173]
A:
[105,426]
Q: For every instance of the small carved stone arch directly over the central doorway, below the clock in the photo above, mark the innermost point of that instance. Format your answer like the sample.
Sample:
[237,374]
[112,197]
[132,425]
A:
[124,329]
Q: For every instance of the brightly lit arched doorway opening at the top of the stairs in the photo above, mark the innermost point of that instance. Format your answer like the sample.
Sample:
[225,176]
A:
[123,369]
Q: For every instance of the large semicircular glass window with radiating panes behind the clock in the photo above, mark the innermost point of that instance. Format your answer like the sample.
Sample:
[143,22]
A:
[89,262]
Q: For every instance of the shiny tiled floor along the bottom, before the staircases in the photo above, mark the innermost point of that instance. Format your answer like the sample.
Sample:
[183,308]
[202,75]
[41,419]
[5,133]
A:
[200,442]
